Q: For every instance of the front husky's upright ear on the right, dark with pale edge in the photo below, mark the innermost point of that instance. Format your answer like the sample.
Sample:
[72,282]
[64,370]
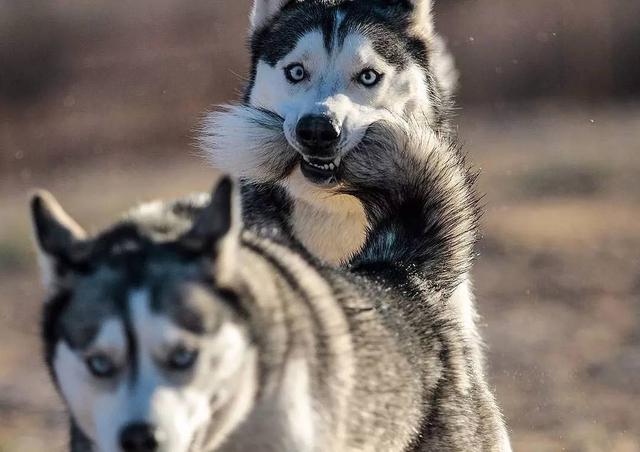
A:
[216,231]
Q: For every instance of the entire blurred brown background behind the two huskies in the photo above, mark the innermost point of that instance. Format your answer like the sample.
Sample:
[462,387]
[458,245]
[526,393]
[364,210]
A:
[99,102]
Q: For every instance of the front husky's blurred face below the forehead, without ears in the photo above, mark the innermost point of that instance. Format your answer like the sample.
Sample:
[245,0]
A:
[148,380]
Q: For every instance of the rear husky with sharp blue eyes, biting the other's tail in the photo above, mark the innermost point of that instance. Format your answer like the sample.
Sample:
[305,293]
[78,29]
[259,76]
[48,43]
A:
[326,71]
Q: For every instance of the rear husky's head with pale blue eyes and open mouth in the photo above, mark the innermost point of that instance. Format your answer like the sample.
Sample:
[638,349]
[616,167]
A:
[332,69]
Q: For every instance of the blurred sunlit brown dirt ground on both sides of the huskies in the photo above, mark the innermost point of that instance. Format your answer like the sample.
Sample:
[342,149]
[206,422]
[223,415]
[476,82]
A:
[558,277]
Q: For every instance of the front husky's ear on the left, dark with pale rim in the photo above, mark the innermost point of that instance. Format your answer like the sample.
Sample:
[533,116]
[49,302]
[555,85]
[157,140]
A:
[56,235]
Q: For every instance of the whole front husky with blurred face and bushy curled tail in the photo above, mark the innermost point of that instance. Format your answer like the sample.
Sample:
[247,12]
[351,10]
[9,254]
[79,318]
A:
[179,330]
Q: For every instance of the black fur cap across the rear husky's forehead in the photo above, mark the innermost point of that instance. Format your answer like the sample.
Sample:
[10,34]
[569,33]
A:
[386,23]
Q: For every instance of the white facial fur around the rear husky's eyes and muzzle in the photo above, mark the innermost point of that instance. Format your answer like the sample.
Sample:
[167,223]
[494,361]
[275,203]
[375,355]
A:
[331,89]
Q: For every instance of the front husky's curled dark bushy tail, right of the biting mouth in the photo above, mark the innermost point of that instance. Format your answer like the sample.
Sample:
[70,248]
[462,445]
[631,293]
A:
[420,200]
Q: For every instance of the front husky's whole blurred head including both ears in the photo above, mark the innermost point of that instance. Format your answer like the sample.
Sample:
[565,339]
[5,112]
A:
[148,352]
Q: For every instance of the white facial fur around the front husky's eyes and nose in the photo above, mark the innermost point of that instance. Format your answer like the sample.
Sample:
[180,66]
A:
[179,411]
